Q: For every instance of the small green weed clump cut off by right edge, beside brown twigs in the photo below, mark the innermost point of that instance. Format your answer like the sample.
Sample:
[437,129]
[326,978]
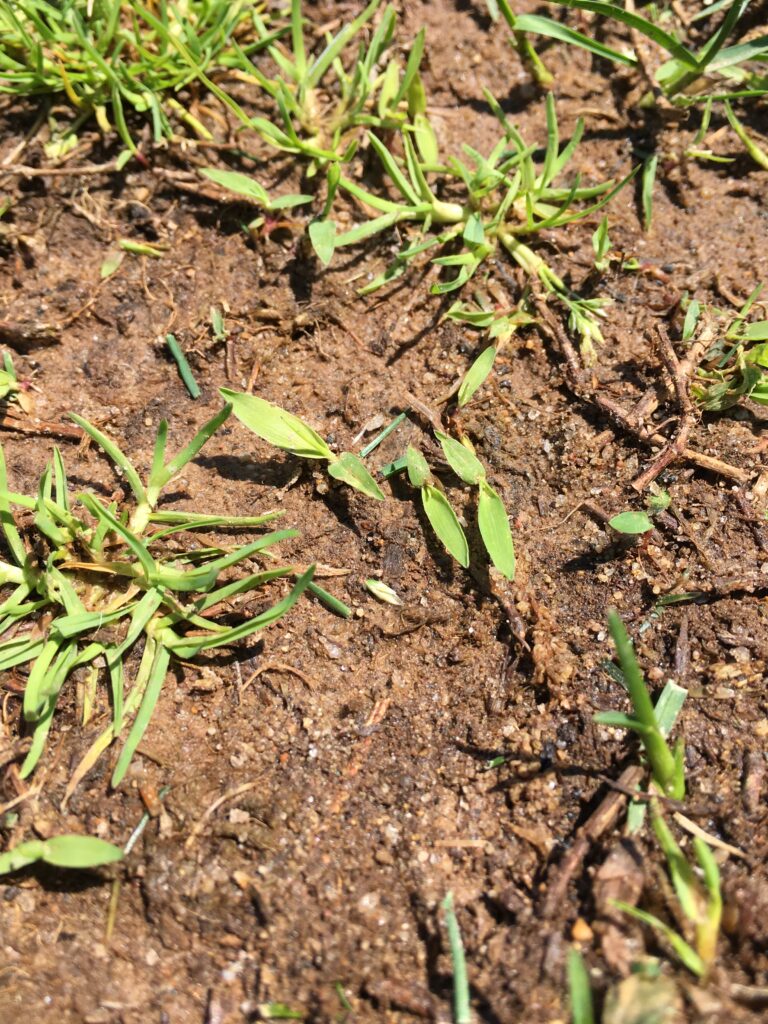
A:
[735,367]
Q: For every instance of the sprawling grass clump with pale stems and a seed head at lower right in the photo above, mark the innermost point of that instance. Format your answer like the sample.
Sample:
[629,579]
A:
[505,199]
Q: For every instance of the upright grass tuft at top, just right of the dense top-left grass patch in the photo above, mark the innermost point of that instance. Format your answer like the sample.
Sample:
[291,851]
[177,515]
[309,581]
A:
[321,121]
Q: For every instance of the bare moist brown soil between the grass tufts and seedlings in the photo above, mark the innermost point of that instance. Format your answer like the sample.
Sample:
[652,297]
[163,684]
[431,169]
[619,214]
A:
[365,797]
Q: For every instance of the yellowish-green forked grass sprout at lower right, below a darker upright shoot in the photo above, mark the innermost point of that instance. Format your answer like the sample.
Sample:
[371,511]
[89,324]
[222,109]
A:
[701,900]
